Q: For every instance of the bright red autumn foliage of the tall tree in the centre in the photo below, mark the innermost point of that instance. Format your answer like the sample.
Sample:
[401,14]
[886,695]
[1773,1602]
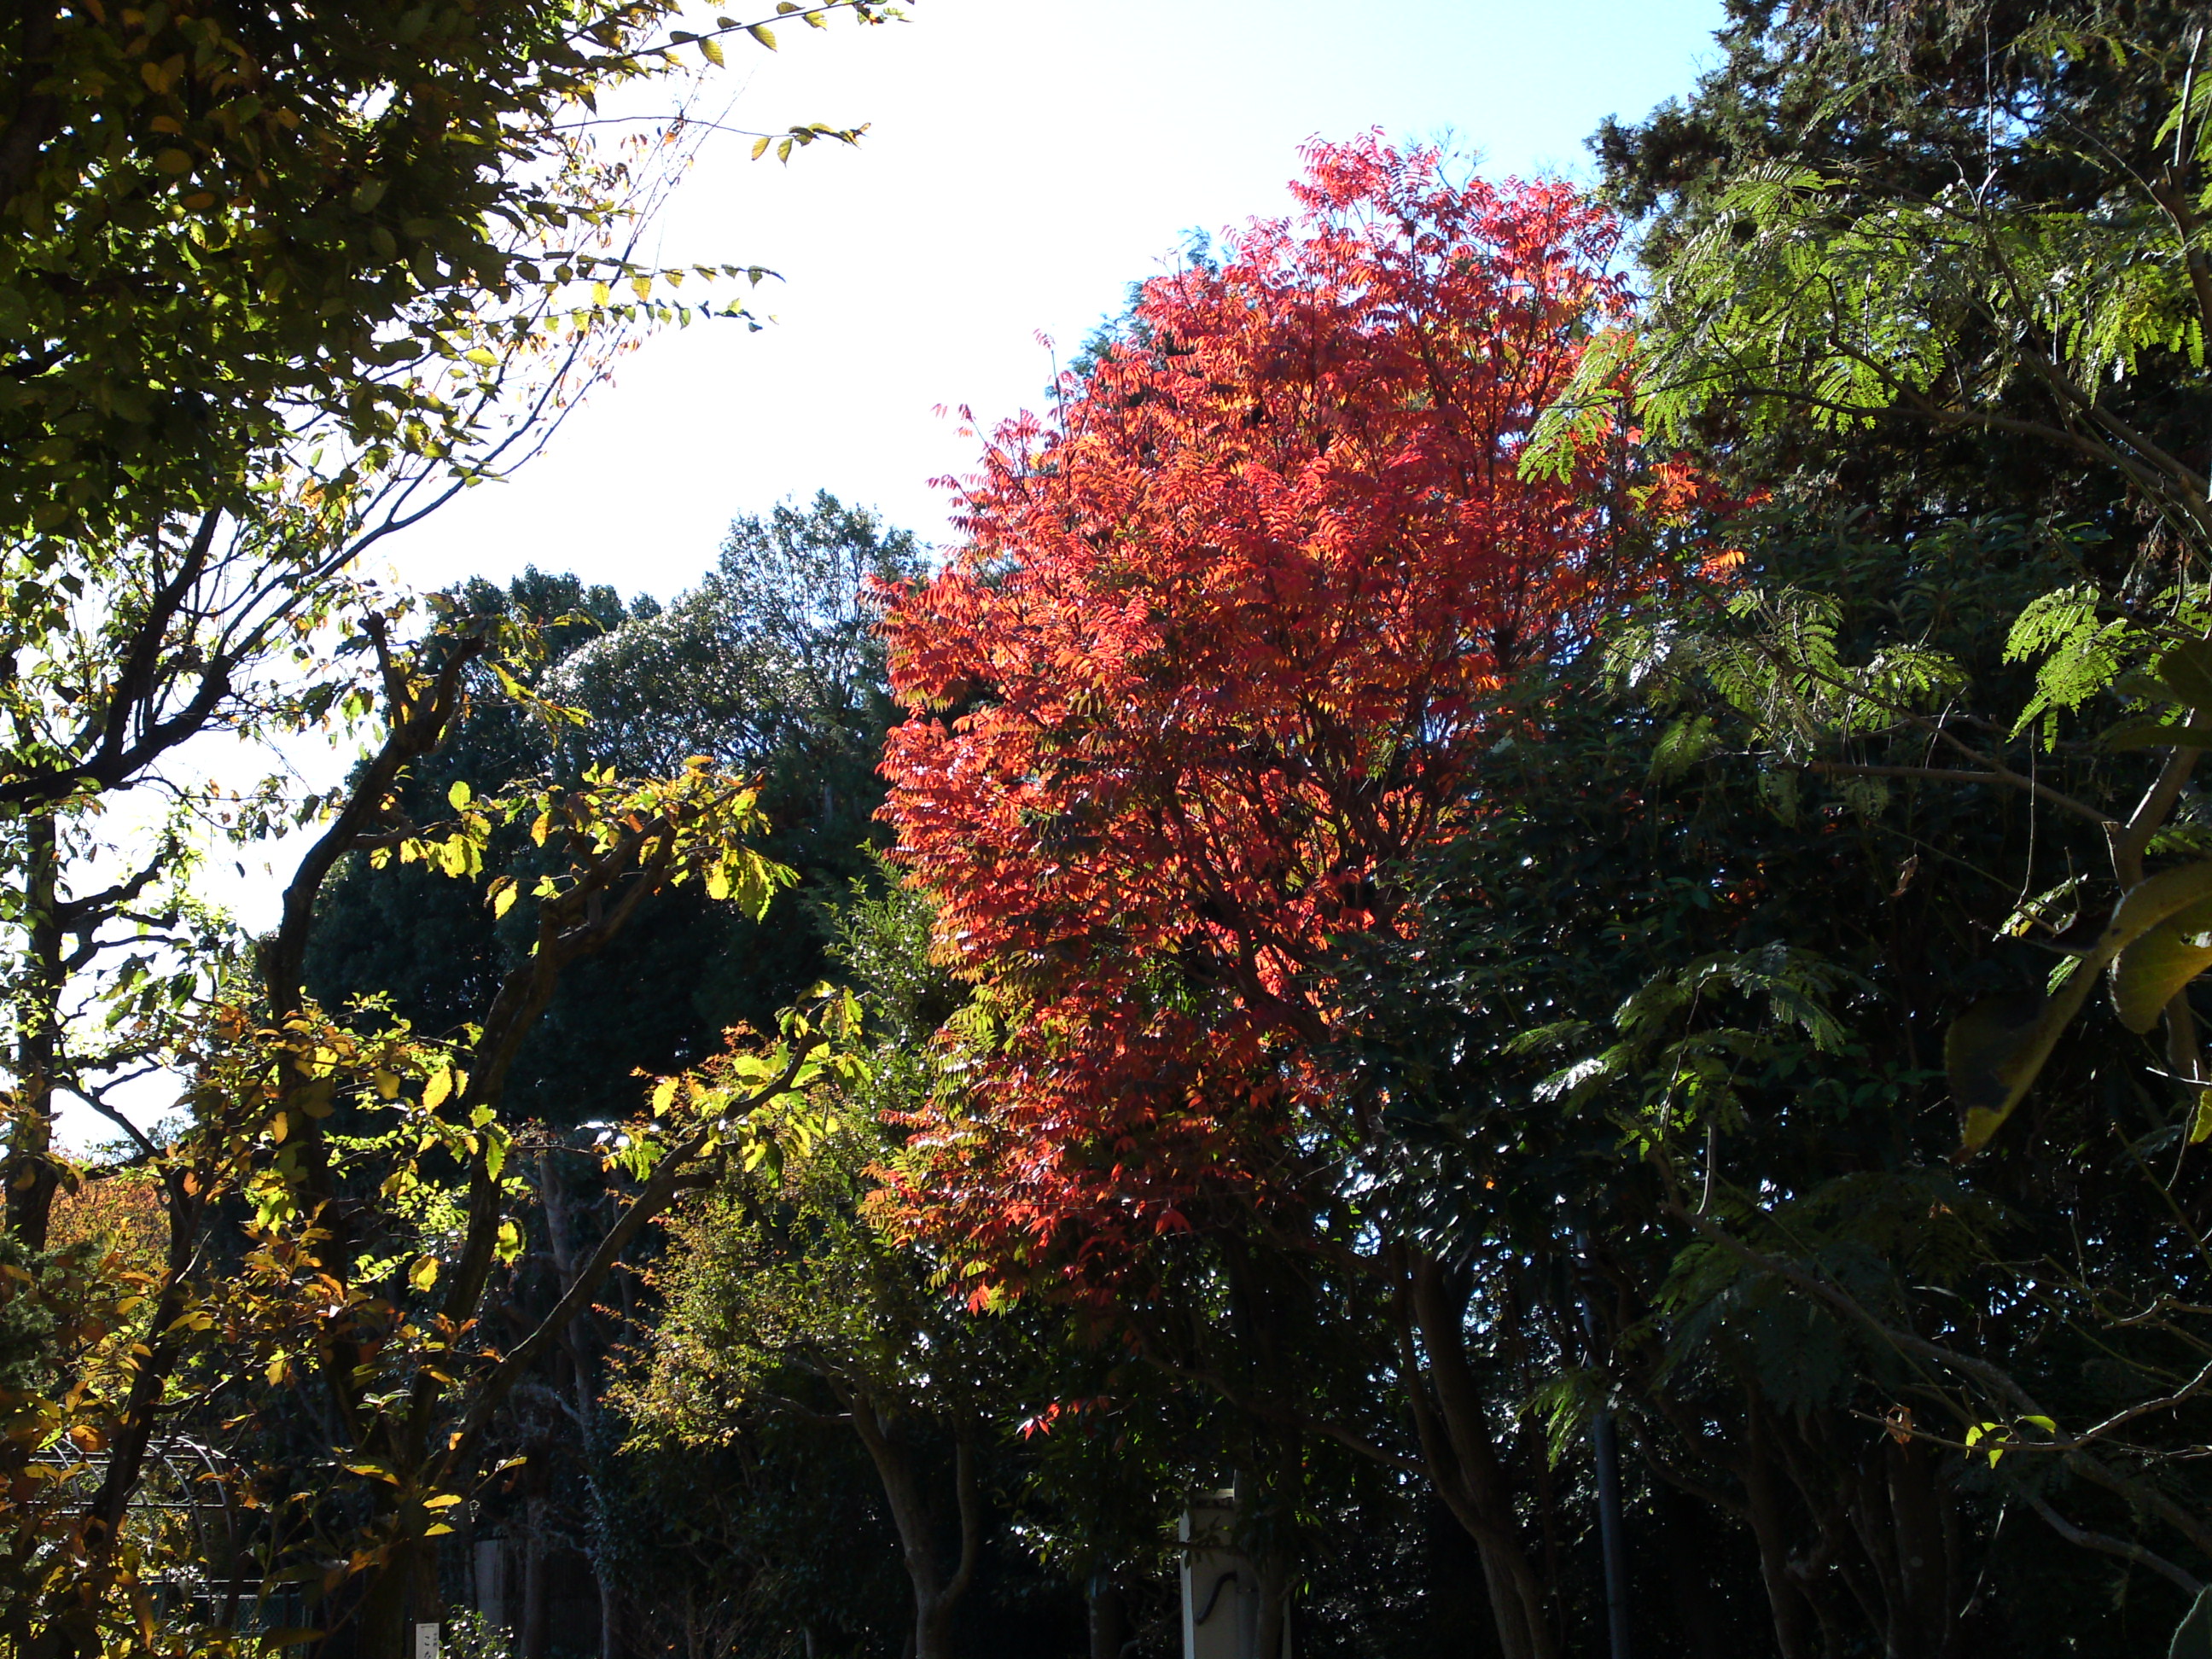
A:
[1224,638]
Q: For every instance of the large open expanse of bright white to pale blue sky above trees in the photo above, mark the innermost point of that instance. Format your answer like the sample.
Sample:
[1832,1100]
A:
[1025,163]
